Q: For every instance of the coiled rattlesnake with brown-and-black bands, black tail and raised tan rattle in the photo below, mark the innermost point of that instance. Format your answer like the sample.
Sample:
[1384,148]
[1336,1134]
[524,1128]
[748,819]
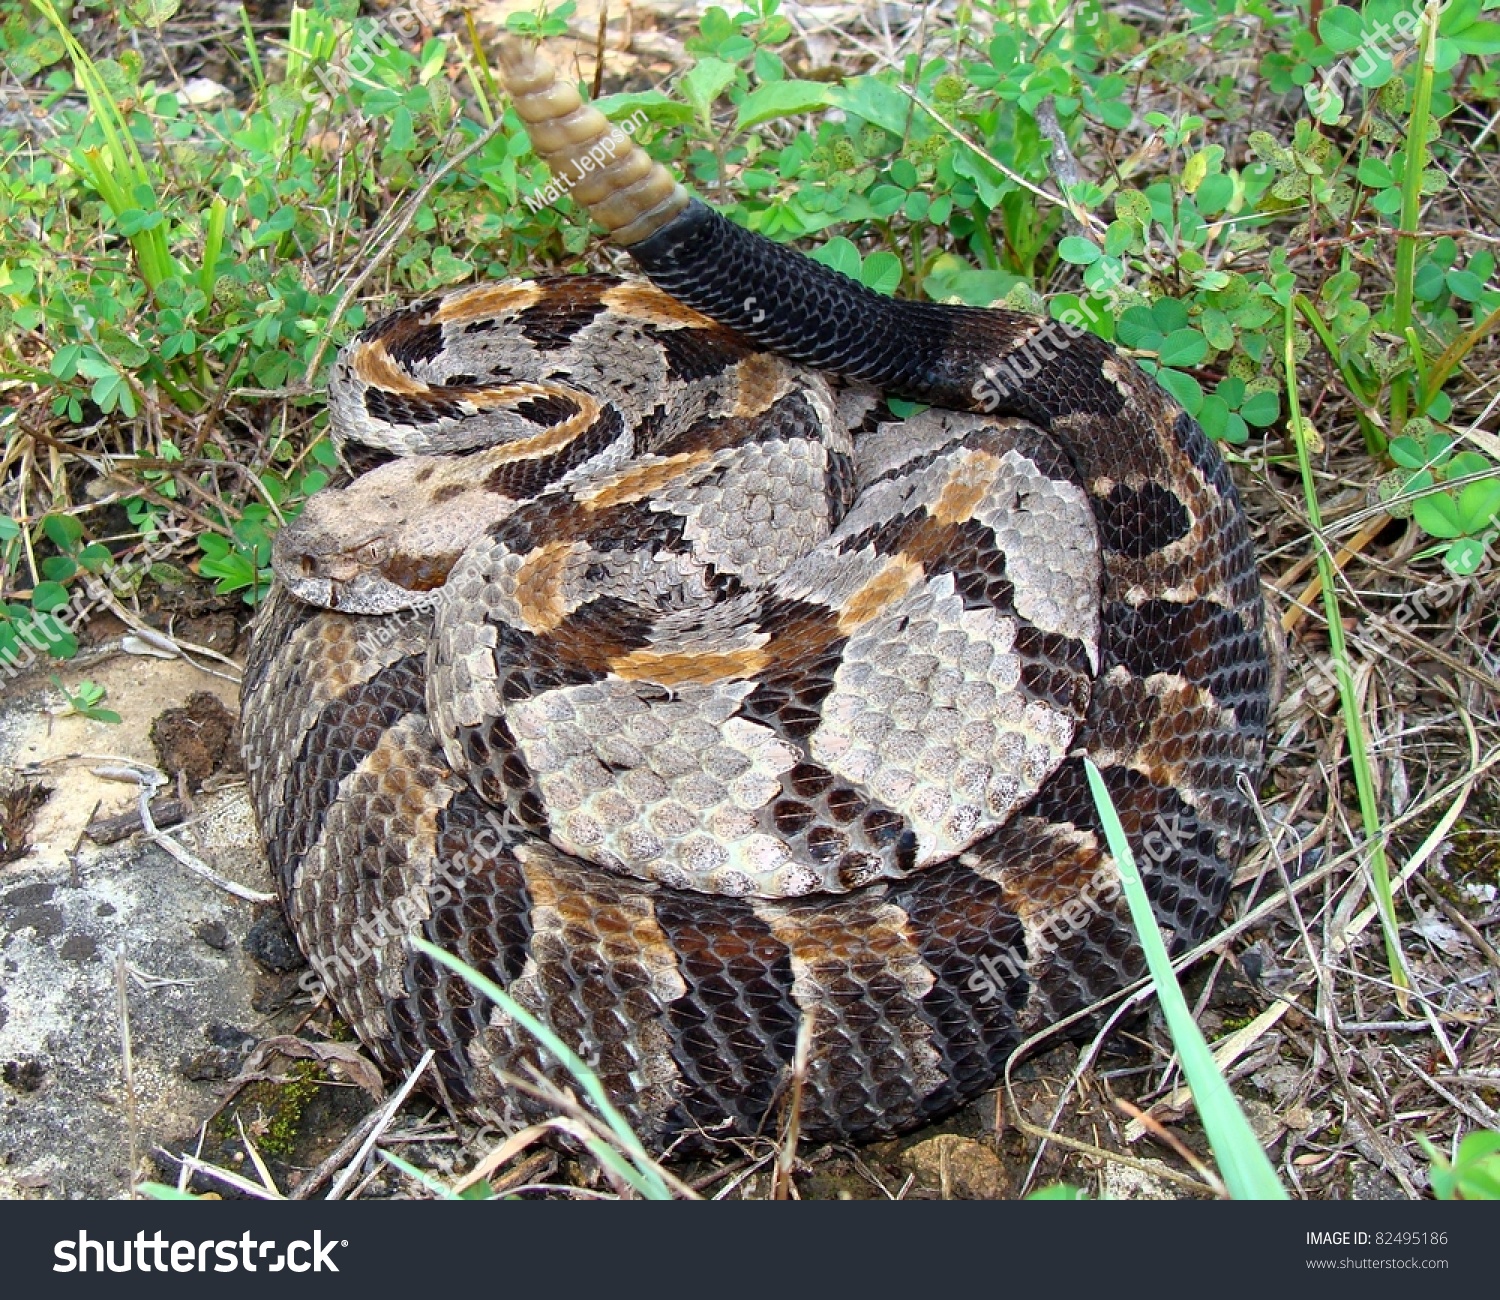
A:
[688,693]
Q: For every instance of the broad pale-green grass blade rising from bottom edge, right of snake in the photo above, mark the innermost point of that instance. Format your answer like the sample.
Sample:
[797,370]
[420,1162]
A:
[1243,1164]
